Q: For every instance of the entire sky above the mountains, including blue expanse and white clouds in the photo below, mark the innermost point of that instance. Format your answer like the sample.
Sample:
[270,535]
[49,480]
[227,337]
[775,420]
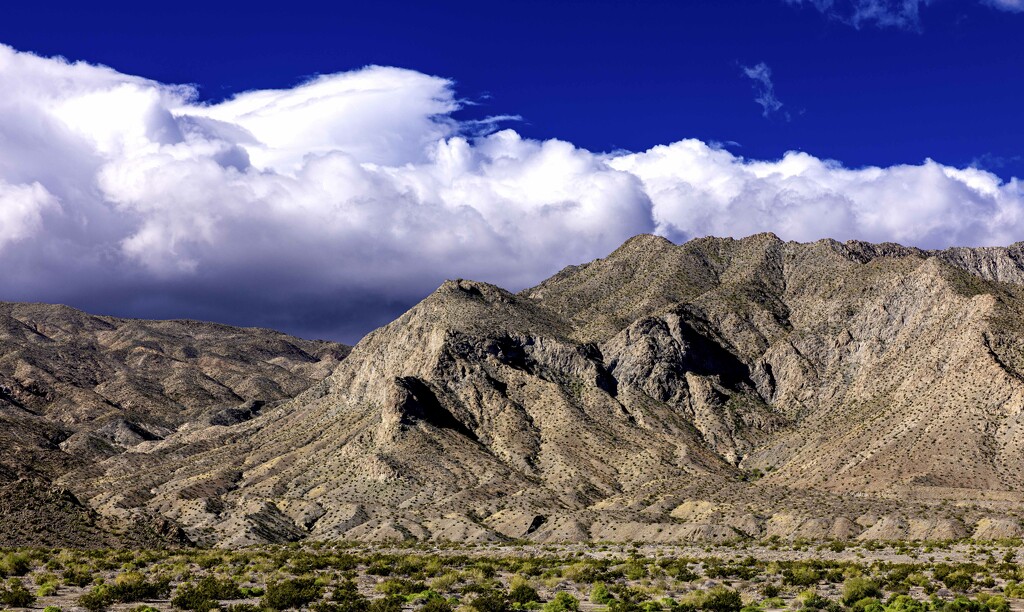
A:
[320,169]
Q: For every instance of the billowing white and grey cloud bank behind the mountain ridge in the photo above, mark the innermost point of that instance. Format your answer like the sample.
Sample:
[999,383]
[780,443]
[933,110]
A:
[328,208]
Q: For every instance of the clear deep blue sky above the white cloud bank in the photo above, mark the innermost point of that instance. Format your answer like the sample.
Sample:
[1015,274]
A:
[608,75]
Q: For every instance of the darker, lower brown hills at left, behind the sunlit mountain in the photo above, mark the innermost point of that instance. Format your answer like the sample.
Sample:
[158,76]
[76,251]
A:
[76,389]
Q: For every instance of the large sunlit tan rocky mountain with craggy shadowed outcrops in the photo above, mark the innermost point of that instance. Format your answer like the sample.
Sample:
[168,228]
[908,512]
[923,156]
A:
[878,390]
